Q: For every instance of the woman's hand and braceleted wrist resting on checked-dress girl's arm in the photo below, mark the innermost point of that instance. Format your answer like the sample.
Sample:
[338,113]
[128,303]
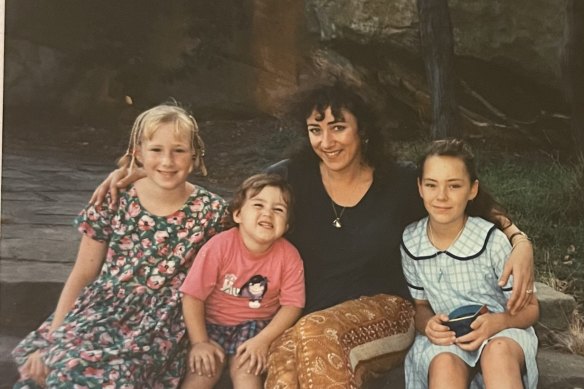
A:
[520,264]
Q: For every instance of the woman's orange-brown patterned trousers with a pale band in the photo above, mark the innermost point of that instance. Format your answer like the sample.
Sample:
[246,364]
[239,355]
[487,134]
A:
[343,345]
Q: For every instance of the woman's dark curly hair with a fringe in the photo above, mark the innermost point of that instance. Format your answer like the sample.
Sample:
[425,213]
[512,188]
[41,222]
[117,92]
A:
[337,97]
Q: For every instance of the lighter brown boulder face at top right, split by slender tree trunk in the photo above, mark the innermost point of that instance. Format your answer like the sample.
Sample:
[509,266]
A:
[524,36]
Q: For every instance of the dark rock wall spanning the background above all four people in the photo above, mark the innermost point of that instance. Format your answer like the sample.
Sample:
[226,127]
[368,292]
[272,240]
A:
[233,57]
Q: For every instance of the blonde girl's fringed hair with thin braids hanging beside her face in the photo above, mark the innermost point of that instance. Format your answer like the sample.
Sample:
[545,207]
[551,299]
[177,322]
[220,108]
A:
[149,121]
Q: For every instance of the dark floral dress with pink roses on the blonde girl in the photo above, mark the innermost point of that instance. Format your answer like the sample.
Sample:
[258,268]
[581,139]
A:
[126,329]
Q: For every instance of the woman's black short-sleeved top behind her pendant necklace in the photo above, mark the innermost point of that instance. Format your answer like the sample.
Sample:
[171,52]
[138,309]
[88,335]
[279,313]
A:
[362,258]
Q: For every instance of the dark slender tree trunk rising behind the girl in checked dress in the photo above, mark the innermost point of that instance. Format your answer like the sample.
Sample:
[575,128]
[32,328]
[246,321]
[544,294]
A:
[438,53]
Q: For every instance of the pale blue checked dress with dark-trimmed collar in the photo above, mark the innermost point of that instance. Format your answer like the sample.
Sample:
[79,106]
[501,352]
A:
[466,273]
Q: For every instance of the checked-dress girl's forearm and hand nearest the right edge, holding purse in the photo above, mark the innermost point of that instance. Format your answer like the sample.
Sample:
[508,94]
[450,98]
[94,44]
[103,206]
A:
[490,324]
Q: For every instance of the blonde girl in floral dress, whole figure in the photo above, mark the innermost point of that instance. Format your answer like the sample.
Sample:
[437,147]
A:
[118,322]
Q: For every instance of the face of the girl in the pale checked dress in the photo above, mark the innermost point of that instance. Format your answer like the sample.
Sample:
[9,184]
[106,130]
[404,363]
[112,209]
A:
[445,188]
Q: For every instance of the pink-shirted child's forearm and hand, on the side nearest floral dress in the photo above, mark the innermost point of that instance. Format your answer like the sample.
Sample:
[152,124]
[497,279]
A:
[203,352]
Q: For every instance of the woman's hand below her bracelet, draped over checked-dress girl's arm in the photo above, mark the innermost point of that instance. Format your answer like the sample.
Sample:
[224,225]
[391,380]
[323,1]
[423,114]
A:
[520,264]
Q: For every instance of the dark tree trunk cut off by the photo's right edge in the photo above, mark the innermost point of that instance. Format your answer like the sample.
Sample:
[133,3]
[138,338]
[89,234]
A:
[574,70]
